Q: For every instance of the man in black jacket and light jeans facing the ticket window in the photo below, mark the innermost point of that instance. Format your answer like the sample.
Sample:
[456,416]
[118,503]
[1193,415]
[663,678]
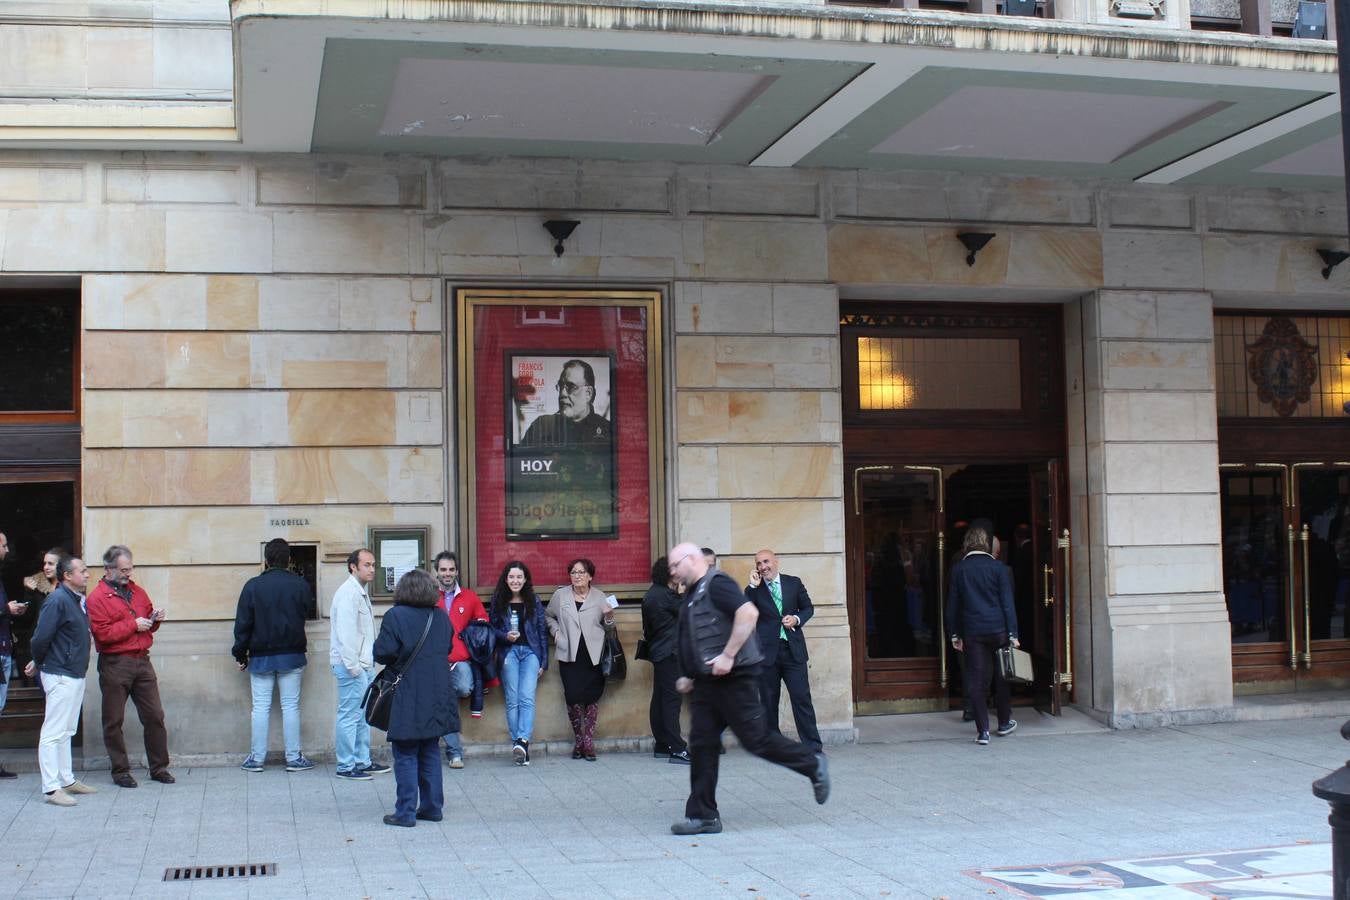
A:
[271,644]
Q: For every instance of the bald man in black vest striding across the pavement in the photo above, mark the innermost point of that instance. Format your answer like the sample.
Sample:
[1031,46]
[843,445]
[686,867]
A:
[719,659]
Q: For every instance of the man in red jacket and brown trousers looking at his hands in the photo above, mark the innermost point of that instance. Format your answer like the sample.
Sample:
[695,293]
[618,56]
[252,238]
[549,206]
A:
[124,624]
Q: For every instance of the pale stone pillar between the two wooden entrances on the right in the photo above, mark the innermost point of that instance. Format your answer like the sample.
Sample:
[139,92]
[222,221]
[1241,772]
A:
[1155,613]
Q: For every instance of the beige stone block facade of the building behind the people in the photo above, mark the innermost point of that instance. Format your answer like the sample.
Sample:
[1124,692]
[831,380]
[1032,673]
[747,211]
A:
[268,349]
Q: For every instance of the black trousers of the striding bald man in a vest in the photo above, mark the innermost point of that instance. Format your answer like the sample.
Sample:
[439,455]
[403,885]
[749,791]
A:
[732,702]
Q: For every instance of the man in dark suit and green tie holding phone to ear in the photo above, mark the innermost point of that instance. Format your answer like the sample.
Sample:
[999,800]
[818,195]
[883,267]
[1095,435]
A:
[784,609]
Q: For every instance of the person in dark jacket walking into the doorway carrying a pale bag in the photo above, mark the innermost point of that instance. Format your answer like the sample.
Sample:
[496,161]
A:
[982,619]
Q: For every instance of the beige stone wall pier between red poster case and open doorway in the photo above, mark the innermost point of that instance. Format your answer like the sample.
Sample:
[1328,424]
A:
[759,453]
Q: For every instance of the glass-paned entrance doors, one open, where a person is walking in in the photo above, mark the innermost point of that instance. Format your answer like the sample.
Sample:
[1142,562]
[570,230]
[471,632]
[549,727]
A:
[904,531]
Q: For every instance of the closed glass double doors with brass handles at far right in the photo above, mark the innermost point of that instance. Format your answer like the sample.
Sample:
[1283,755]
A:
[1287,574]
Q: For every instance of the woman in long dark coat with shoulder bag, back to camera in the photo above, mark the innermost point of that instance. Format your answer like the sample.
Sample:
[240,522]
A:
[423,709]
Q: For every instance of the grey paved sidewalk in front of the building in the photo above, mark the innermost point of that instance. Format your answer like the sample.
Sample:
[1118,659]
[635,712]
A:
[907,820]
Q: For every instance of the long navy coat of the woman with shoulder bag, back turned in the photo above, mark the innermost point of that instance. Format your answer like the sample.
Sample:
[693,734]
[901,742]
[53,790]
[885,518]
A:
[425,706]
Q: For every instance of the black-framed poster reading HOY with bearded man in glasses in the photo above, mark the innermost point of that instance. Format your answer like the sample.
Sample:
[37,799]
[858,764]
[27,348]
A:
[561,457]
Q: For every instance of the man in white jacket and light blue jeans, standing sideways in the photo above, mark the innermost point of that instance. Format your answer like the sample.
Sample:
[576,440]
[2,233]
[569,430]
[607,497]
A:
[352,655]
